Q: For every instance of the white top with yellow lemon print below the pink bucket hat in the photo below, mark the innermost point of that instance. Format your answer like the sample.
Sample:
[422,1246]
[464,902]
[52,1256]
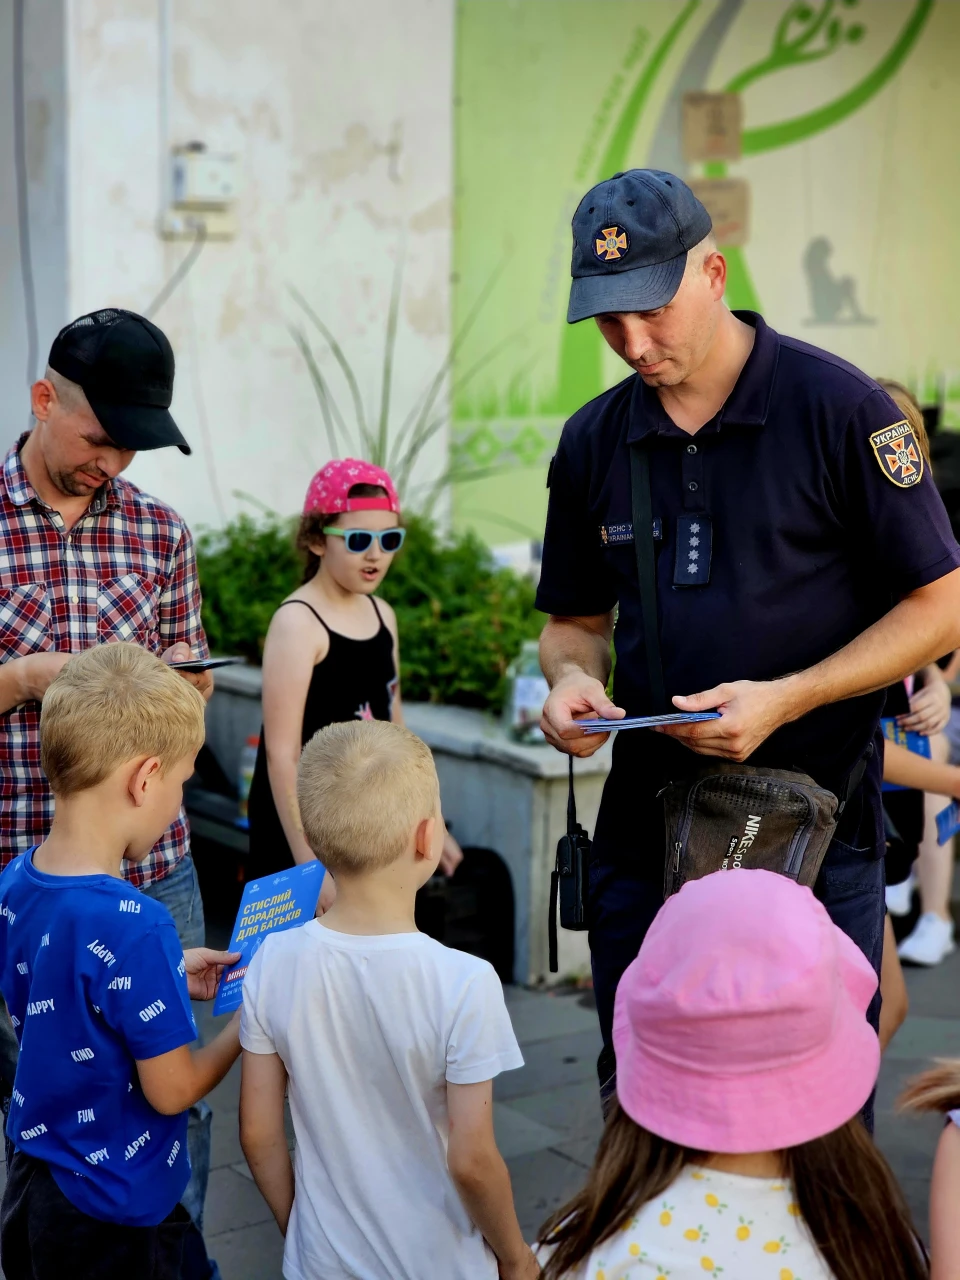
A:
[711,1224]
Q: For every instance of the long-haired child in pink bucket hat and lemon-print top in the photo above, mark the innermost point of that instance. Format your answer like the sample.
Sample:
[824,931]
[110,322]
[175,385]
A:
[737,1149]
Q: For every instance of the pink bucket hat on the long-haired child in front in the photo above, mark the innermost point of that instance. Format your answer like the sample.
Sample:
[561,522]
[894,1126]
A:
[742,1023]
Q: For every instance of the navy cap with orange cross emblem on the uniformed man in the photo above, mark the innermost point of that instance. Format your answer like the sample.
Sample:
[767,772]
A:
[632,236]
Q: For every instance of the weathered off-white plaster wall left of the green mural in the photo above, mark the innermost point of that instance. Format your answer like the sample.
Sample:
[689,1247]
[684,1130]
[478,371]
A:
[341,118]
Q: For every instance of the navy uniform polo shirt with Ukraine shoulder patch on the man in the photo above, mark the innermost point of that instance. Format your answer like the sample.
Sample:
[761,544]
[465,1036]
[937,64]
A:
[804,533]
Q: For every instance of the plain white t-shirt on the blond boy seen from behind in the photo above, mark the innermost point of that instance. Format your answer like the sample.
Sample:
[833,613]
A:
[371,1031]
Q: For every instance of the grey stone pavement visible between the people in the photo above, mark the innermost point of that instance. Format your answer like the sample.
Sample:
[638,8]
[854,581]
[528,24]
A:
[548,1119]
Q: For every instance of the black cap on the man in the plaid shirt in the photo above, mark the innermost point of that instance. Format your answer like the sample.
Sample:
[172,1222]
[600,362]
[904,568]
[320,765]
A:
[125,365]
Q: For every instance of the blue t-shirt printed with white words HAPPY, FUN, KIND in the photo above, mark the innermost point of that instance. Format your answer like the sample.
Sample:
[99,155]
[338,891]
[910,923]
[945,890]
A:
[94,979]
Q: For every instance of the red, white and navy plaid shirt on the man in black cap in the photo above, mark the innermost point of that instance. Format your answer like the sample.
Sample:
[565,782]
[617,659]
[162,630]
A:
[126,572]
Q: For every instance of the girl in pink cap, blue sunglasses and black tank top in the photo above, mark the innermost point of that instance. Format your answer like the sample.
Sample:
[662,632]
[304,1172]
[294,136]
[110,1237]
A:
[332,652]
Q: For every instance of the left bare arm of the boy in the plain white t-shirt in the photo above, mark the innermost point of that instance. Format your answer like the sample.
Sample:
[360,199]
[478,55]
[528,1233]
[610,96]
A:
[263,1137]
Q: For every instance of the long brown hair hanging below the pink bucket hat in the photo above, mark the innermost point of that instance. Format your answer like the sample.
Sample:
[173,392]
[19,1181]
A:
[849,1201]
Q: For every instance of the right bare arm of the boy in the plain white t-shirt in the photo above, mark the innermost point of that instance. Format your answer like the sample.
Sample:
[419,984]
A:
[482,1178]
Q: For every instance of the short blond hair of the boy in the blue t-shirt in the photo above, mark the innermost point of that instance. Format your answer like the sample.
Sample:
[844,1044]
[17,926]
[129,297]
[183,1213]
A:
[115,703]
